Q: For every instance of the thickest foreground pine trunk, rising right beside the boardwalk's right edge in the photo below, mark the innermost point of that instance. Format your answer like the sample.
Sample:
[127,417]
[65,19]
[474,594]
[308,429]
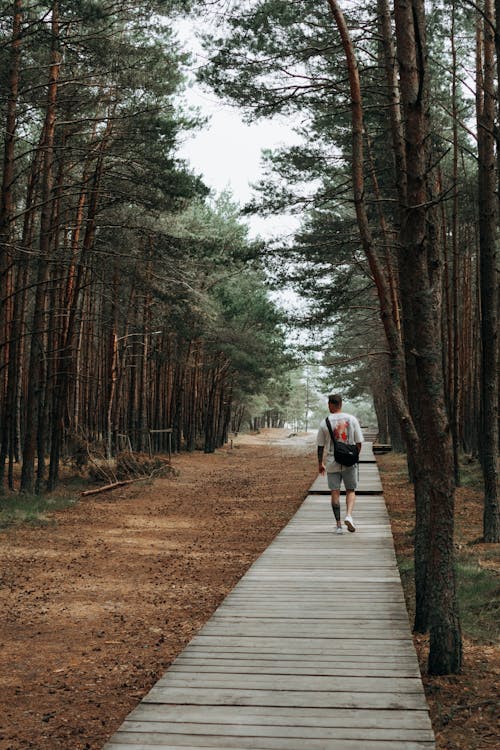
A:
[418,262]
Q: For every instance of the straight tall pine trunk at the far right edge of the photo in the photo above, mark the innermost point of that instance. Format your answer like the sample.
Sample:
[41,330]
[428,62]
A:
[488,275]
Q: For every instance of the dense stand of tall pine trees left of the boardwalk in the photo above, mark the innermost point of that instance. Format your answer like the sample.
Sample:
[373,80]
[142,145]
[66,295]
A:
[122,314]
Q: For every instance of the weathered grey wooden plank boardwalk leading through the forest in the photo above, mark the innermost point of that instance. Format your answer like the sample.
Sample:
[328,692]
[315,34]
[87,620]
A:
[312,649]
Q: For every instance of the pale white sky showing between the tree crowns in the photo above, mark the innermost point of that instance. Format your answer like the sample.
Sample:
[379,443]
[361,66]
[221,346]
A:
[227,151]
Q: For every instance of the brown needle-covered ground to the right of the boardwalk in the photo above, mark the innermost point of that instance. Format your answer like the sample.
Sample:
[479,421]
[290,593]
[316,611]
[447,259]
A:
[464,708]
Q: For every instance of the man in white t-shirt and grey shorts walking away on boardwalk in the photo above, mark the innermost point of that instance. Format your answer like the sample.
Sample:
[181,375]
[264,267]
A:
[345,428]
